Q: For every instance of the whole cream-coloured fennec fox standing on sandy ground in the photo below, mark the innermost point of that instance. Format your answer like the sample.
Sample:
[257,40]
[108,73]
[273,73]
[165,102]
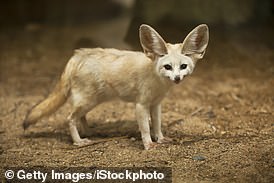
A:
[93,76]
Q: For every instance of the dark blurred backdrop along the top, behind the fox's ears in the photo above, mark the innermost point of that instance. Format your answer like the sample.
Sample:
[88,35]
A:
[114,23]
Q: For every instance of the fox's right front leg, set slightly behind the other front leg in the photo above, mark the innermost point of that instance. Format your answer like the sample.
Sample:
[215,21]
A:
[156,124]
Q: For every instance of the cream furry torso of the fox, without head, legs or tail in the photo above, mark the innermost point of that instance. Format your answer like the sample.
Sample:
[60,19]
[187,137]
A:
[110,72]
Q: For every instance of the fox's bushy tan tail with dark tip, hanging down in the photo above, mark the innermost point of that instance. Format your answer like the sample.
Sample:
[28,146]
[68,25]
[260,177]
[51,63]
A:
[56,99]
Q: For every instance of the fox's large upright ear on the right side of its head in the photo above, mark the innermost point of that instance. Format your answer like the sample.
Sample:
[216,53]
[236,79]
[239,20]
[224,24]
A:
[196,42]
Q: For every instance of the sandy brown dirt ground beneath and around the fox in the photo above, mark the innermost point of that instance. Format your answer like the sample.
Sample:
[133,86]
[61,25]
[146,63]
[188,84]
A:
[221,118]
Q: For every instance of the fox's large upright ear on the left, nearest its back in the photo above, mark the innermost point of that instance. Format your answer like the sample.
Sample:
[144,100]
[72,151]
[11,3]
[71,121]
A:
[153,44]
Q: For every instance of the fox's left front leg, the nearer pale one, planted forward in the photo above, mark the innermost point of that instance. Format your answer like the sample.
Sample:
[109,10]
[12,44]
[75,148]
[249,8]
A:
[143,116]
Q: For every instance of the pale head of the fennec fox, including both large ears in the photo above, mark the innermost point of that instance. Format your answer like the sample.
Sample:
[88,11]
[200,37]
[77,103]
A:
[174,61]
